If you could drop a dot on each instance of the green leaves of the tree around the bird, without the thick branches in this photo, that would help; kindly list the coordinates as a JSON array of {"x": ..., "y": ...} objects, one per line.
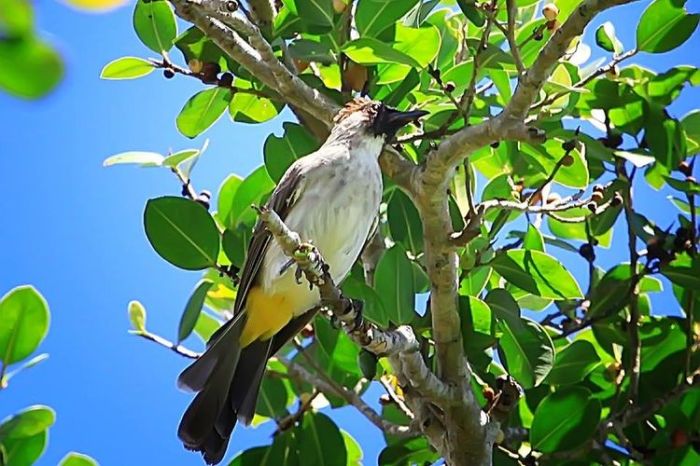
[{"x": 582, "y": 345}]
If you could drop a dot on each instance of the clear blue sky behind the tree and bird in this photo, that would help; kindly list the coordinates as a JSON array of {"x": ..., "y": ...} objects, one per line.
[{"x": 73, "y": 229}]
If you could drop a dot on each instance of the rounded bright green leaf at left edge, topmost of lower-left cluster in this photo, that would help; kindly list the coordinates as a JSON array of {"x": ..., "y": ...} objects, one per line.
[{"x": 24, "y": 323}]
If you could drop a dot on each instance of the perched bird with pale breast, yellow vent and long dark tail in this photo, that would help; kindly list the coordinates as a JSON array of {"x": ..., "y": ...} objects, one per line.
[{"x": 331, "y": 198}]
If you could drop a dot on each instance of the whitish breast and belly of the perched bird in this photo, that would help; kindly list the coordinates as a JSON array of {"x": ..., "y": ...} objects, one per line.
[{"x": 335, "y": 211}]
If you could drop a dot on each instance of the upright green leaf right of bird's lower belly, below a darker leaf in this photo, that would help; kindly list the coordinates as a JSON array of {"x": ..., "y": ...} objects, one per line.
[{"x": 394, "y": 277}]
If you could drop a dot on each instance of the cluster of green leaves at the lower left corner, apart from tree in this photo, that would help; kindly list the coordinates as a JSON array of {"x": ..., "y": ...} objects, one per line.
[{"x": 24, "y": 323}]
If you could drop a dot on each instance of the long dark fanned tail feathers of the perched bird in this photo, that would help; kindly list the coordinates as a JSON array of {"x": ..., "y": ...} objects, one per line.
[{"x": 227, "y": 380}]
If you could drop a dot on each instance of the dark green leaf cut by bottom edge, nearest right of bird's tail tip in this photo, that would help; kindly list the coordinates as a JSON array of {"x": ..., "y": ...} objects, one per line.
[{"x": 321, "y": 441}]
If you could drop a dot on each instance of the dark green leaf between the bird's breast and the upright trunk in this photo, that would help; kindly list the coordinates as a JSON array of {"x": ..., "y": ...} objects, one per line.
[{"x": 404, "y": 222}]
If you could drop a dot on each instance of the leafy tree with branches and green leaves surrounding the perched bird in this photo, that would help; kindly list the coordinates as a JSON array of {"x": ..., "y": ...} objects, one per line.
[{"x": 520, "y": 336}]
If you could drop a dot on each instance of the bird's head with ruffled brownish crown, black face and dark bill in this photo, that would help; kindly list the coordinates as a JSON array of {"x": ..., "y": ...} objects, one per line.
[{"x": 370, "y": 118}]
